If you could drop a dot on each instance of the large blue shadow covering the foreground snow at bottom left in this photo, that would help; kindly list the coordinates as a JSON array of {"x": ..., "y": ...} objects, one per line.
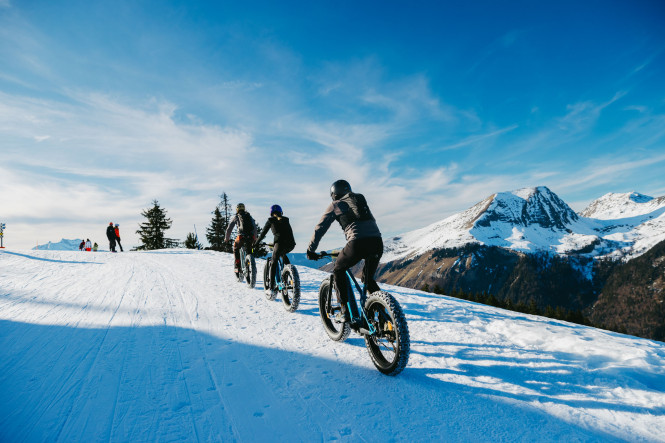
[{"x": 159, "y": 383}]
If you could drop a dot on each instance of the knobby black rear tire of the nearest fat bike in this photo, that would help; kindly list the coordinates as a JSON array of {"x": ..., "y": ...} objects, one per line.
[{"x": 403, "y": 342}]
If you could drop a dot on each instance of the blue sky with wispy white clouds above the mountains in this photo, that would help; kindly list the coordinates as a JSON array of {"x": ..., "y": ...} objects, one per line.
[{"x": 424, "y": 107}]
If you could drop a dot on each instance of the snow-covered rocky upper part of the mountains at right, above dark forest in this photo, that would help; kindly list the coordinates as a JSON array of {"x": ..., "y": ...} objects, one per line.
[{"x": 536, "y": 219}]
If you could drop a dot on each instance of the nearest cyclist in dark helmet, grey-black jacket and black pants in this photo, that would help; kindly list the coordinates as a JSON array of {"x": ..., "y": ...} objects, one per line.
[{"x": 363, "y": 240}]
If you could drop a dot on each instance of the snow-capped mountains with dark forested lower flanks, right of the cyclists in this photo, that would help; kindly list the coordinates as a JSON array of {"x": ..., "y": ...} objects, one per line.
[{"x": 529, "y": 246}]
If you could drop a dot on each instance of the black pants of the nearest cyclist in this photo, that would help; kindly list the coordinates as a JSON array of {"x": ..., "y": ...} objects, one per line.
[{"x": 370, "y": 249}]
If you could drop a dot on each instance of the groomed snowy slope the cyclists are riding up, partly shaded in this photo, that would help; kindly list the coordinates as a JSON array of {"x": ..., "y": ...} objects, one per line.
[{"x": 166, "y": 346}]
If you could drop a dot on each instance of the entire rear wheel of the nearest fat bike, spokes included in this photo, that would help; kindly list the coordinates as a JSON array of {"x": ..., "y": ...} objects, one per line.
[{"x": 389, "y": 346}]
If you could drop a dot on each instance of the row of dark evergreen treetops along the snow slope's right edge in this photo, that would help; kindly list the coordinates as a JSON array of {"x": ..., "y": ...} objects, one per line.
[{"x": 558, "y": 312}]
